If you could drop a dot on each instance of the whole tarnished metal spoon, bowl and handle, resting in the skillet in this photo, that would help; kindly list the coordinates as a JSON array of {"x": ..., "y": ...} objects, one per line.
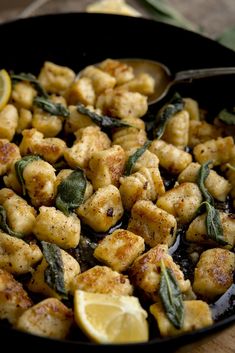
[{"x": 164, "y": 79}]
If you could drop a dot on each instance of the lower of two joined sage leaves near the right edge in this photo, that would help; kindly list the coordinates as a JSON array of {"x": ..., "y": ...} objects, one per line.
[{"x": 213, "y": 224}]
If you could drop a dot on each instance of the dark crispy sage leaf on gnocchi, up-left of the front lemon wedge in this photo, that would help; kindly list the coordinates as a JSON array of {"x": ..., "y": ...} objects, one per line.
[{"x": 54, "y": 273}]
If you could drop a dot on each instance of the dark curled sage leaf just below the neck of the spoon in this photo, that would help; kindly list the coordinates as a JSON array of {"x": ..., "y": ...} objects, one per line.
[{"x": 174, "y": 106}]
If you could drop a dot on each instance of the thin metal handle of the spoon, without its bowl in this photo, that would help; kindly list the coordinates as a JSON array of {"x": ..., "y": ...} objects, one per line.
[{"x": 189, "y": 75}]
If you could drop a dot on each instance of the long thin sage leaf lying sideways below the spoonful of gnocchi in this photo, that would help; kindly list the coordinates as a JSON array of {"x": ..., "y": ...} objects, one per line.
[{"x": 101, "y": 120}]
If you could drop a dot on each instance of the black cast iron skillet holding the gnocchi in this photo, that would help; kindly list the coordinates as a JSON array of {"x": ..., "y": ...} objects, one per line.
[{"x": 79, "y": 39}]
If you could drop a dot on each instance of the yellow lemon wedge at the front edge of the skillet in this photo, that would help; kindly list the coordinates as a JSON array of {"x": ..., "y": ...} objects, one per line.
[{"x": 107, "y": 318}]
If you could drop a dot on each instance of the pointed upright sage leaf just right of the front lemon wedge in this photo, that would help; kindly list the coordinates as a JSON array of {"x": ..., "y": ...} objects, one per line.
[{"x": 171, "y": 297}]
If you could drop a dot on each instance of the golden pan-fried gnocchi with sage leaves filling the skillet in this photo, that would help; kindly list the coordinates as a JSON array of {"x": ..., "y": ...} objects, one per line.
[{"x": 97, "y": 197}]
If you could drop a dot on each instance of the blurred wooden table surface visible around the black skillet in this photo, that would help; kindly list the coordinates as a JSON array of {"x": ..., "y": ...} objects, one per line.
[{"x": 214, "y": 16}]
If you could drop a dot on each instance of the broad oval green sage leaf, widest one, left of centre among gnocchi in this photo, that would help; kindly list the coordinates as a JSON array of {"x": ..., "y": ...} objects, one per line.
[{"x": 71, "y": 192}]
